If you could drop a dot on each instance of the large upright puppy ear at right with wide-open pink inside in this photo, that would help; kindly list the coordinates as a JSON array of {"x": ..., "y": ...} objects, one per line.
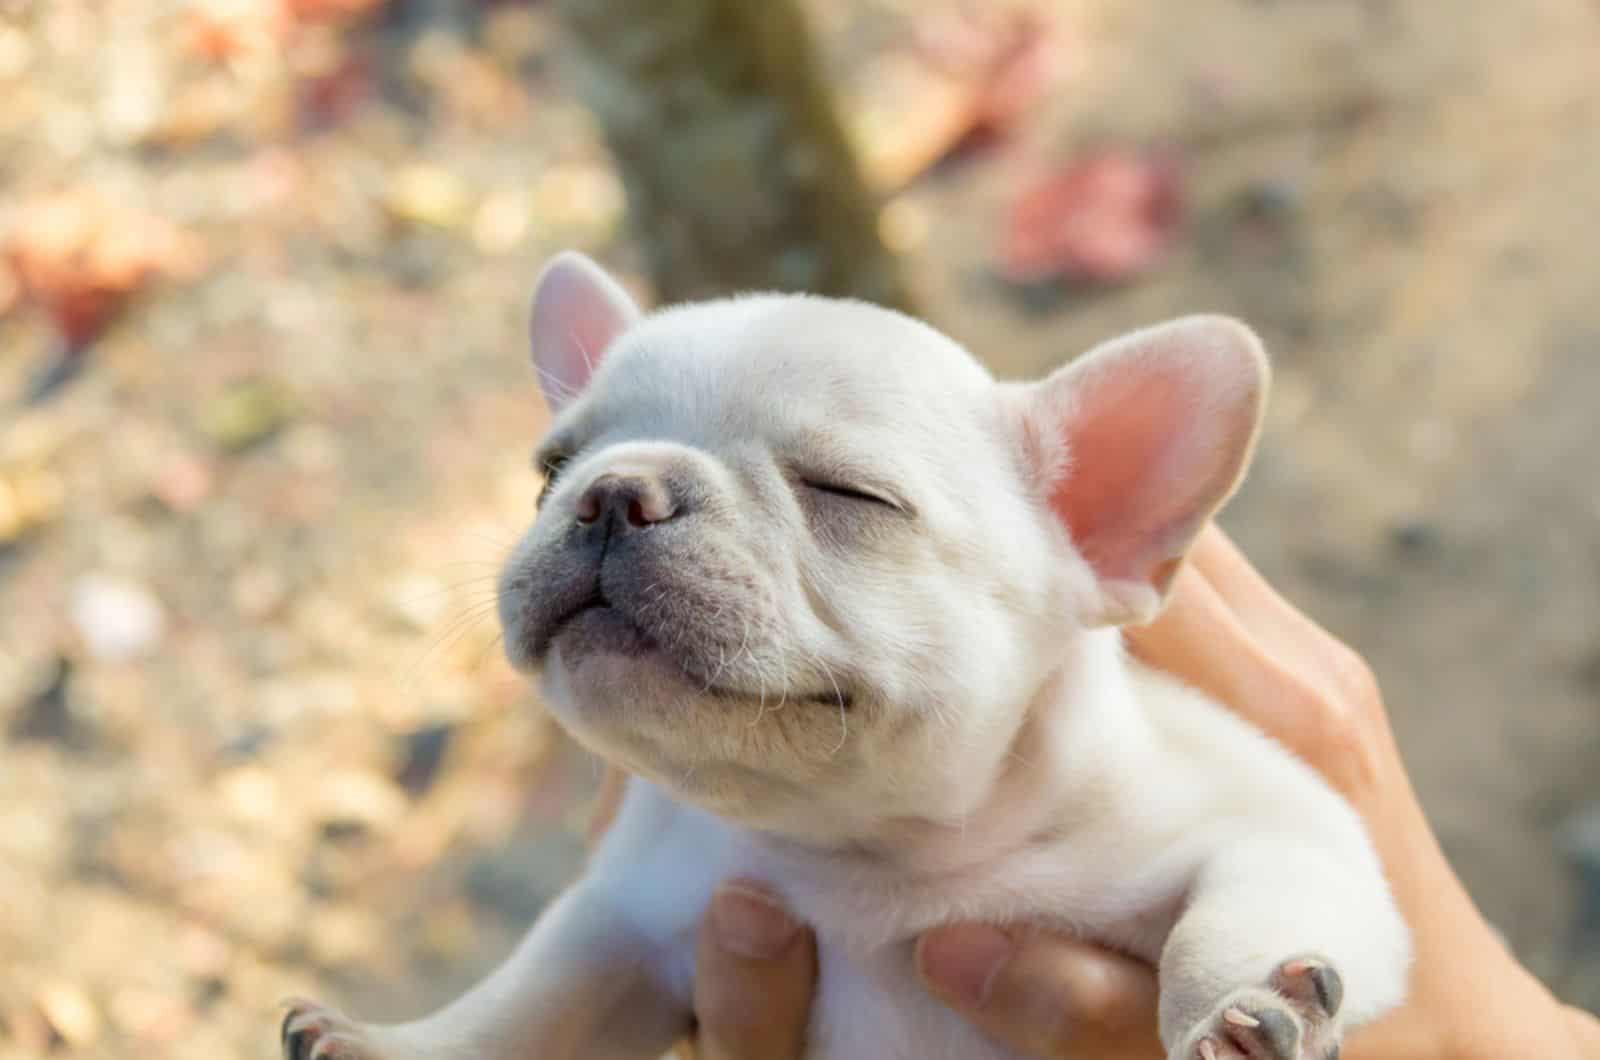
[{"x": 1142, "y": 441}]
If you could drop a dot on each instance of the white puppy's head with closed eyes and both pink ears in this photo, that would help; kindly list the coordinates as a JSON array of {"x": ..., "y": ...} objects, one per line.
[{"x": 804, "y": 563}]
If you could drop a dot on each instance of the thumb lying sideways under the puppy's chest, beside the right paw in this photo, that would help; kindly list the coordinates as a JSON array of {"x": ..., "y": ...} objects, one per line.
[{"x": 1044, "y": 995}]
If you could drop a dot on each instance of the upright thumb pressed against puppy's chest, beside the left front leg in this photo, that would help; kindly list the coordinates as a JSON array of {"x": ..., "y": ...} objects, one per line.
[{"x": 754, "y": 971}]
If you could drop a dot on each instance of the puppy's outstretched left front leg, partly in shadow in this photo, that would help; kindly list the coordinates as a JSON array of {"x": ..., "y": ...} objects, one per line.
[{"x": 582, "y": 986}]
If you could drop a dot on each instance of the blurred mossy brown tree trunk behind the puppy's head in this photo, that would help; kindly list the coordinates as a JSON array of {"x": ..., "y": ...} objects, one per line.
[{"x": 738, "y": 172}]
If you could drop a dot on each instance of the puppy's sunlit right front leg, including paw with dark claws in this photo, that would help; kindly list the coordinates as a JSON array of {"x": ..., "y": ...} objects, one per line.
[{"x": 1281, "y": 947}]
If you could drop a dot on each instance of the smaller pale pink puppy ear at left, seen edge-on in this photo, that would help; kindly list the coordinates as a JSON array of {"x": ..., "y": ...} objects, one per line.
[{"x": 577, "y": 311}]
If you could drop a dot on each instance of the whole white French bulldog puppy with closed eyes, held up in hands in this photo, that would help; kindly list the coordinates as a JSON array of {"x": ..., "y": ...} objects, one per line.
[{"x": 847, "y": 611}]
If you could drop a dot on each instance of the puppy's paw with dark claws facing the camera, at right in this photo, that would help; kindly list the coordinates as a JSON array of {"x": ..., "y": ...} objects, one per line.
[{"x": 1292, "y": 1018}]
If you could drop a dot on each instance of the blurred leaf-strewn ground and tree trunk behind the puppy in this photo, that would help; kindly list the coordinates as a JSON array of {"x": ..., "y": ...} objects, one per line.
[{"x": 266, "y": 417}]
